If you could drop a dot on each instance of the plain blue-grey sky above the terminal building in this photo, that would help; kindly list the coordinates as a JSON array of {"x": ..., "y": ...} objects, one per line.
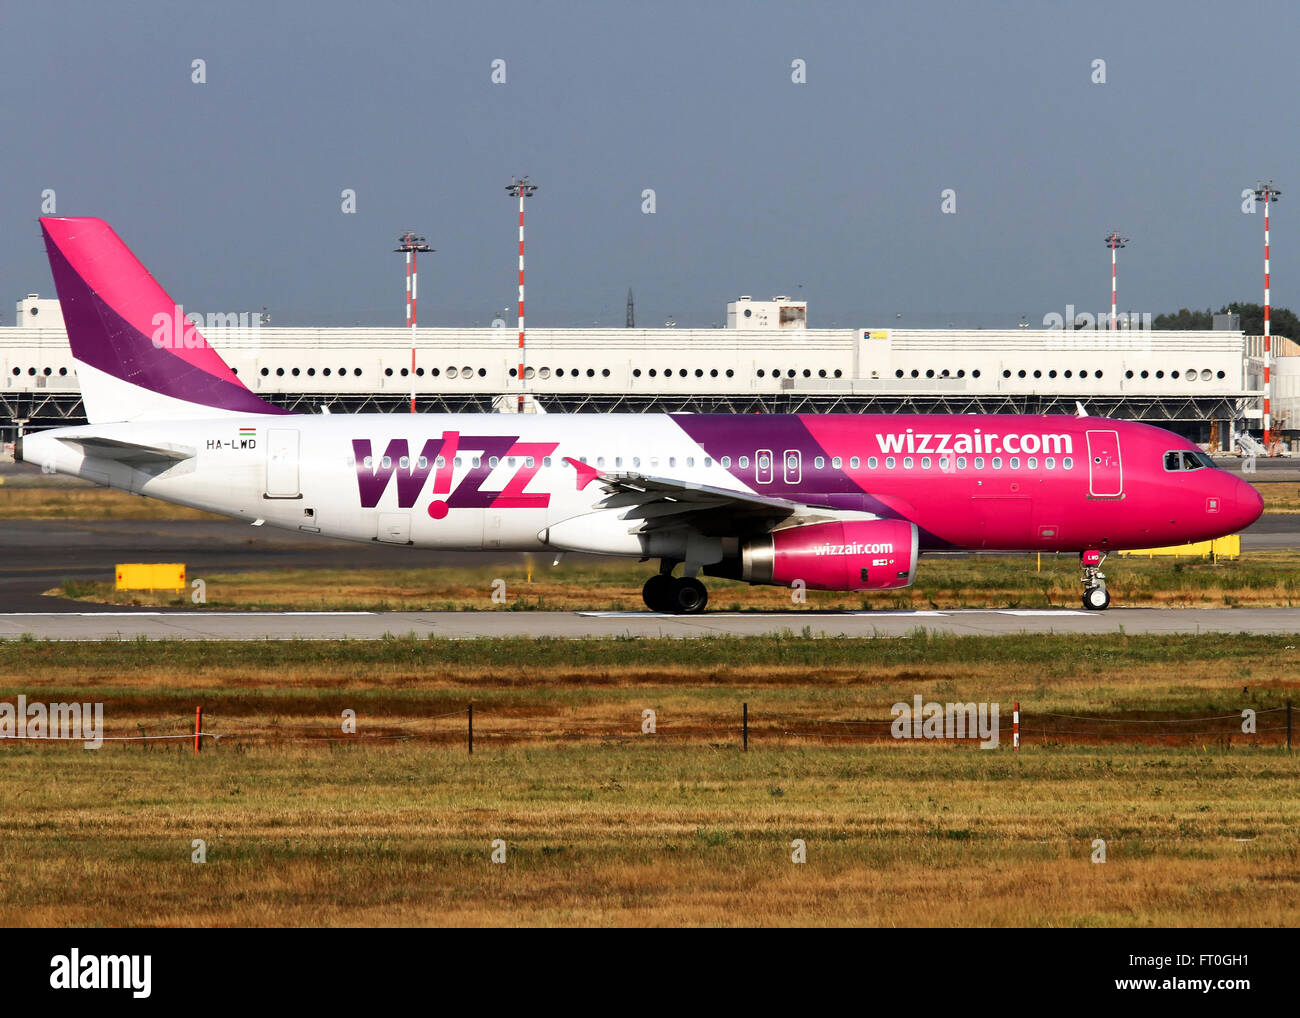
[{"x": 231, "y": 190}]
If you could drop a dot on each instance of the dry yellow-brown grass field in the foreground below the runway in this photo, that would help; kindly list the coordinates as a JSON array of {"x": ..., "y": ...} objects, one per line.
[{"x": 605, "y": 826}]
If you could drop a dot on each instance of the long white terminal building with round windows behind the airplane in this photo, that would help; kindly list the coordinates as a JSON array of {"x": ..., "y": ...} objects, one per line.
[{"x": 1206, "y": 385}]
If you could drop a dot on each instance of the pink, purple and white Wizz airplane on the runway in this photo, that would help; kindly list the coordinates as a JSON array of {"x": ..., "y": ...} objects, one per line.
[{"x": 834, "y": 502}]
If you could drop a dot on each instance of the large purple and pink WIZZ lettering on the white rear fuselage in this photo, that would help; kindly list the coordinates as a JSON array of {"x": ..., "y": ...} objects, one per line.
[{"x": 486, "y": 453}]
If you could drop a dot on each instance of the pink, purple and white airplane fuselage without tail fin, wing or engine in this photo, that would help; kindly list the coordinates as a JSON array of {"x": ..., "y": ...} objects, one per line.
[{"x": 502, "y": 482}]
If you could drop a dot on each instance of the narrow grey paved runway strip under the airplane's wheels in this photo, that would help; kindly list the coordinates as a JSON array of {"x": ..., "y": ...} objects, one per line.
[{"x": 105, "y": 626}]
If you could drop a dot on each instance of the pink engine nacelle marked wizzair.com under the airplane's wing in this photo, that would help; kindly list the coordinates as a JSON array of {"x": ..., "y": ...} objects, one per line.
[{"x": 850, "y": 556}]
